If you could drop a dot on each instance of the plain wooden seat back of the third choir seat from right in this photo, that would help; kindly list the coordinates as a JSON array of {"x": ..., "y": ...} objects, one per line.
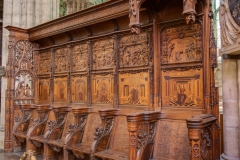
[{"x": 93, "y": 121}]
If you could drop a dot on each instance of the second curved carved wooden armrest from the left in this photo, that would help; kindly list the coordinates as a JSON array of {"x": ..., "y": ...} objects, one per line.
[{"x": 37, "y": 127}]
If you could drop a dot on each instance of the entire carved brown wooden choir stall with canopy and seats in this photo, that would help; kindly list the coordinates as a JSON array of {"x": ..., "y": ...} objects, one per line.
[{"x": 91, "y": 85}]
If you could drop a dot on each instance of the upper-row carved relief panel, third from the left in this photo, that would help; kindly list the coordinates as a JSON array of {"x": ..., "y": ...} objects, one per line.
[{"x": 80, "y": 57}]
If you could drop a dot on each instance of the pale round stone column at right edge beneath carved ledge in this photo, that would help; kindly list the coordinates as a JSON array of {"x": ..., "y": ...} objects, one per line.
[{"x": 230, "y": 108}]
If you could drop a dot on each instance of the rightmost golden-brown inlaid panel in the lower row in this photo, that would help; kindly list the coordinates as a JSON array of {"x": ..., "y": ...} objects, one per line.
[{"x": 182, "y": 88}]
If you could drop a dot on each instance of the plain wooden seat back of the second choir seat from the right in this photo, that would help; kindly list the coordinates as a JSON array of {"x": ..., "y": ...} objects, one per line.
[{"x": 120, "y": 141}]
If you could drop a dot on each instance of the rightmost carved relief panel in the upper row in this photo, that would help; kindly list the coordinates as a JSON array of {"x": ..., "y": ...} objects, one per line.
[{"x": 181, "y": 43}]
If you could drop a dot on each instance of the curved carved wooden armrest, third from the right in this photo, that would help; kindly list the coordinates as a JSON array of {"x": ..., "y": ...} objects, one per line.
[{"x": 107, "y": 117}]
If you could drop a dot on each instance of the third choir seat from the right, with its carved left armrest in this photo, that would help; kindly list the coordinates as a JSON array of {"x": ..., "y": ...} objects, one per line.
[{"x": 81, "y": 135}]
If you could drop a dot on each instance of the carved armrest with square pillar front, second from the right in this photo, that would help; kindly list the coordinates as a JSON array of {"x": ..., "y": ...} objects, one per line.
[{"x": 142, "y": 129}]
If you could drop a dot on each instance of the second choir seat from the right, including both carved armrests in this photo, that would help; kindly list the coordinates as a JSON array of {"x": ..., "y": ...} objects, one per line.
[{"x": 126, "y": 136}]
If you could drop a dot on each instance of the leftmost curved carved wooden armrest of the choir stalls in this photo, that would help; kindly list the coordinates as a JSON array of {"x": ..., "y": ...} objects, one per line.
[{"x": 21, "y": 123}]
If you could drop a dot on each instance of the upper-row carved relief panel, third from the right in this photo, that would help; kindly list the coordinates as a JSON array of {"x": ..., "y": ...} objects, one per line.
[{"x": 103, "y": 54}]
